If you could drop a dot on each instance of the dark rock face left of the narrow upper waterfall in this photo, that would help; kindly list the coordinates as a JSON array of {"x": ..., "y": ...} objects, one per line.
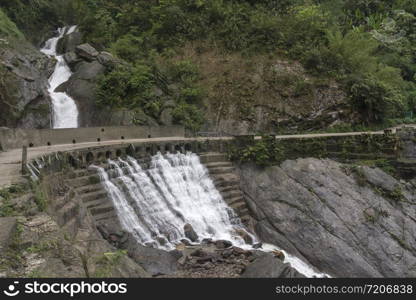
[{"x": 24, "y": 73}]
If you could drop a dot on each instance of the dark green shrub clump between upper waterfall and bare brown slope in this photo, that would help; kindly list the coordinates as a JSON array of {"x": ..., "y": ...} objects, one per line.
[{"x": 135, "y": 87}]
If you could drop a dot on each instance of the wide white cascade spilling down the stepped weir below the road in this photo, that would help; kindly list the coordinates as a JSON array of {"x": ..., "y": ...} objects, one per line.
[{"x": 155, "y": 204}]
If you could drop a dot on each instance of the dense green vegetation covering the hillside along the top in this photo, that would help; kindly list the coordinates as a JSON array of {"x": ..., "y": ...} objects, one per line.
[{"x": 368, "y": 46}]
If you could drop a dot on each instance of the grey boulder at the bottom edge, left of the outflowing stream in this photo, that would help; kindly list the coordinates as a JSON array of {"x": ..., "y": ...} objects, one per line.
[{"x": 268, "y": 266}]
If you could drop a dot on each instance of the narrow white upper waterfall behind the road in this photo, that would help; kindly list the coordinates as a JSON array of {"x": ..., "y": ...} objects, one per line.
[{"x": 65, "y": 111}]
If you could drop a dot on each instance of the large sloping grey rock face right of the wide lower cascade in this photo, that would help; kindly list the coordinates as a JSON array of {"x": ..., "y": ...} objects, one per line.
[{"x": 346, "y": 221}]
